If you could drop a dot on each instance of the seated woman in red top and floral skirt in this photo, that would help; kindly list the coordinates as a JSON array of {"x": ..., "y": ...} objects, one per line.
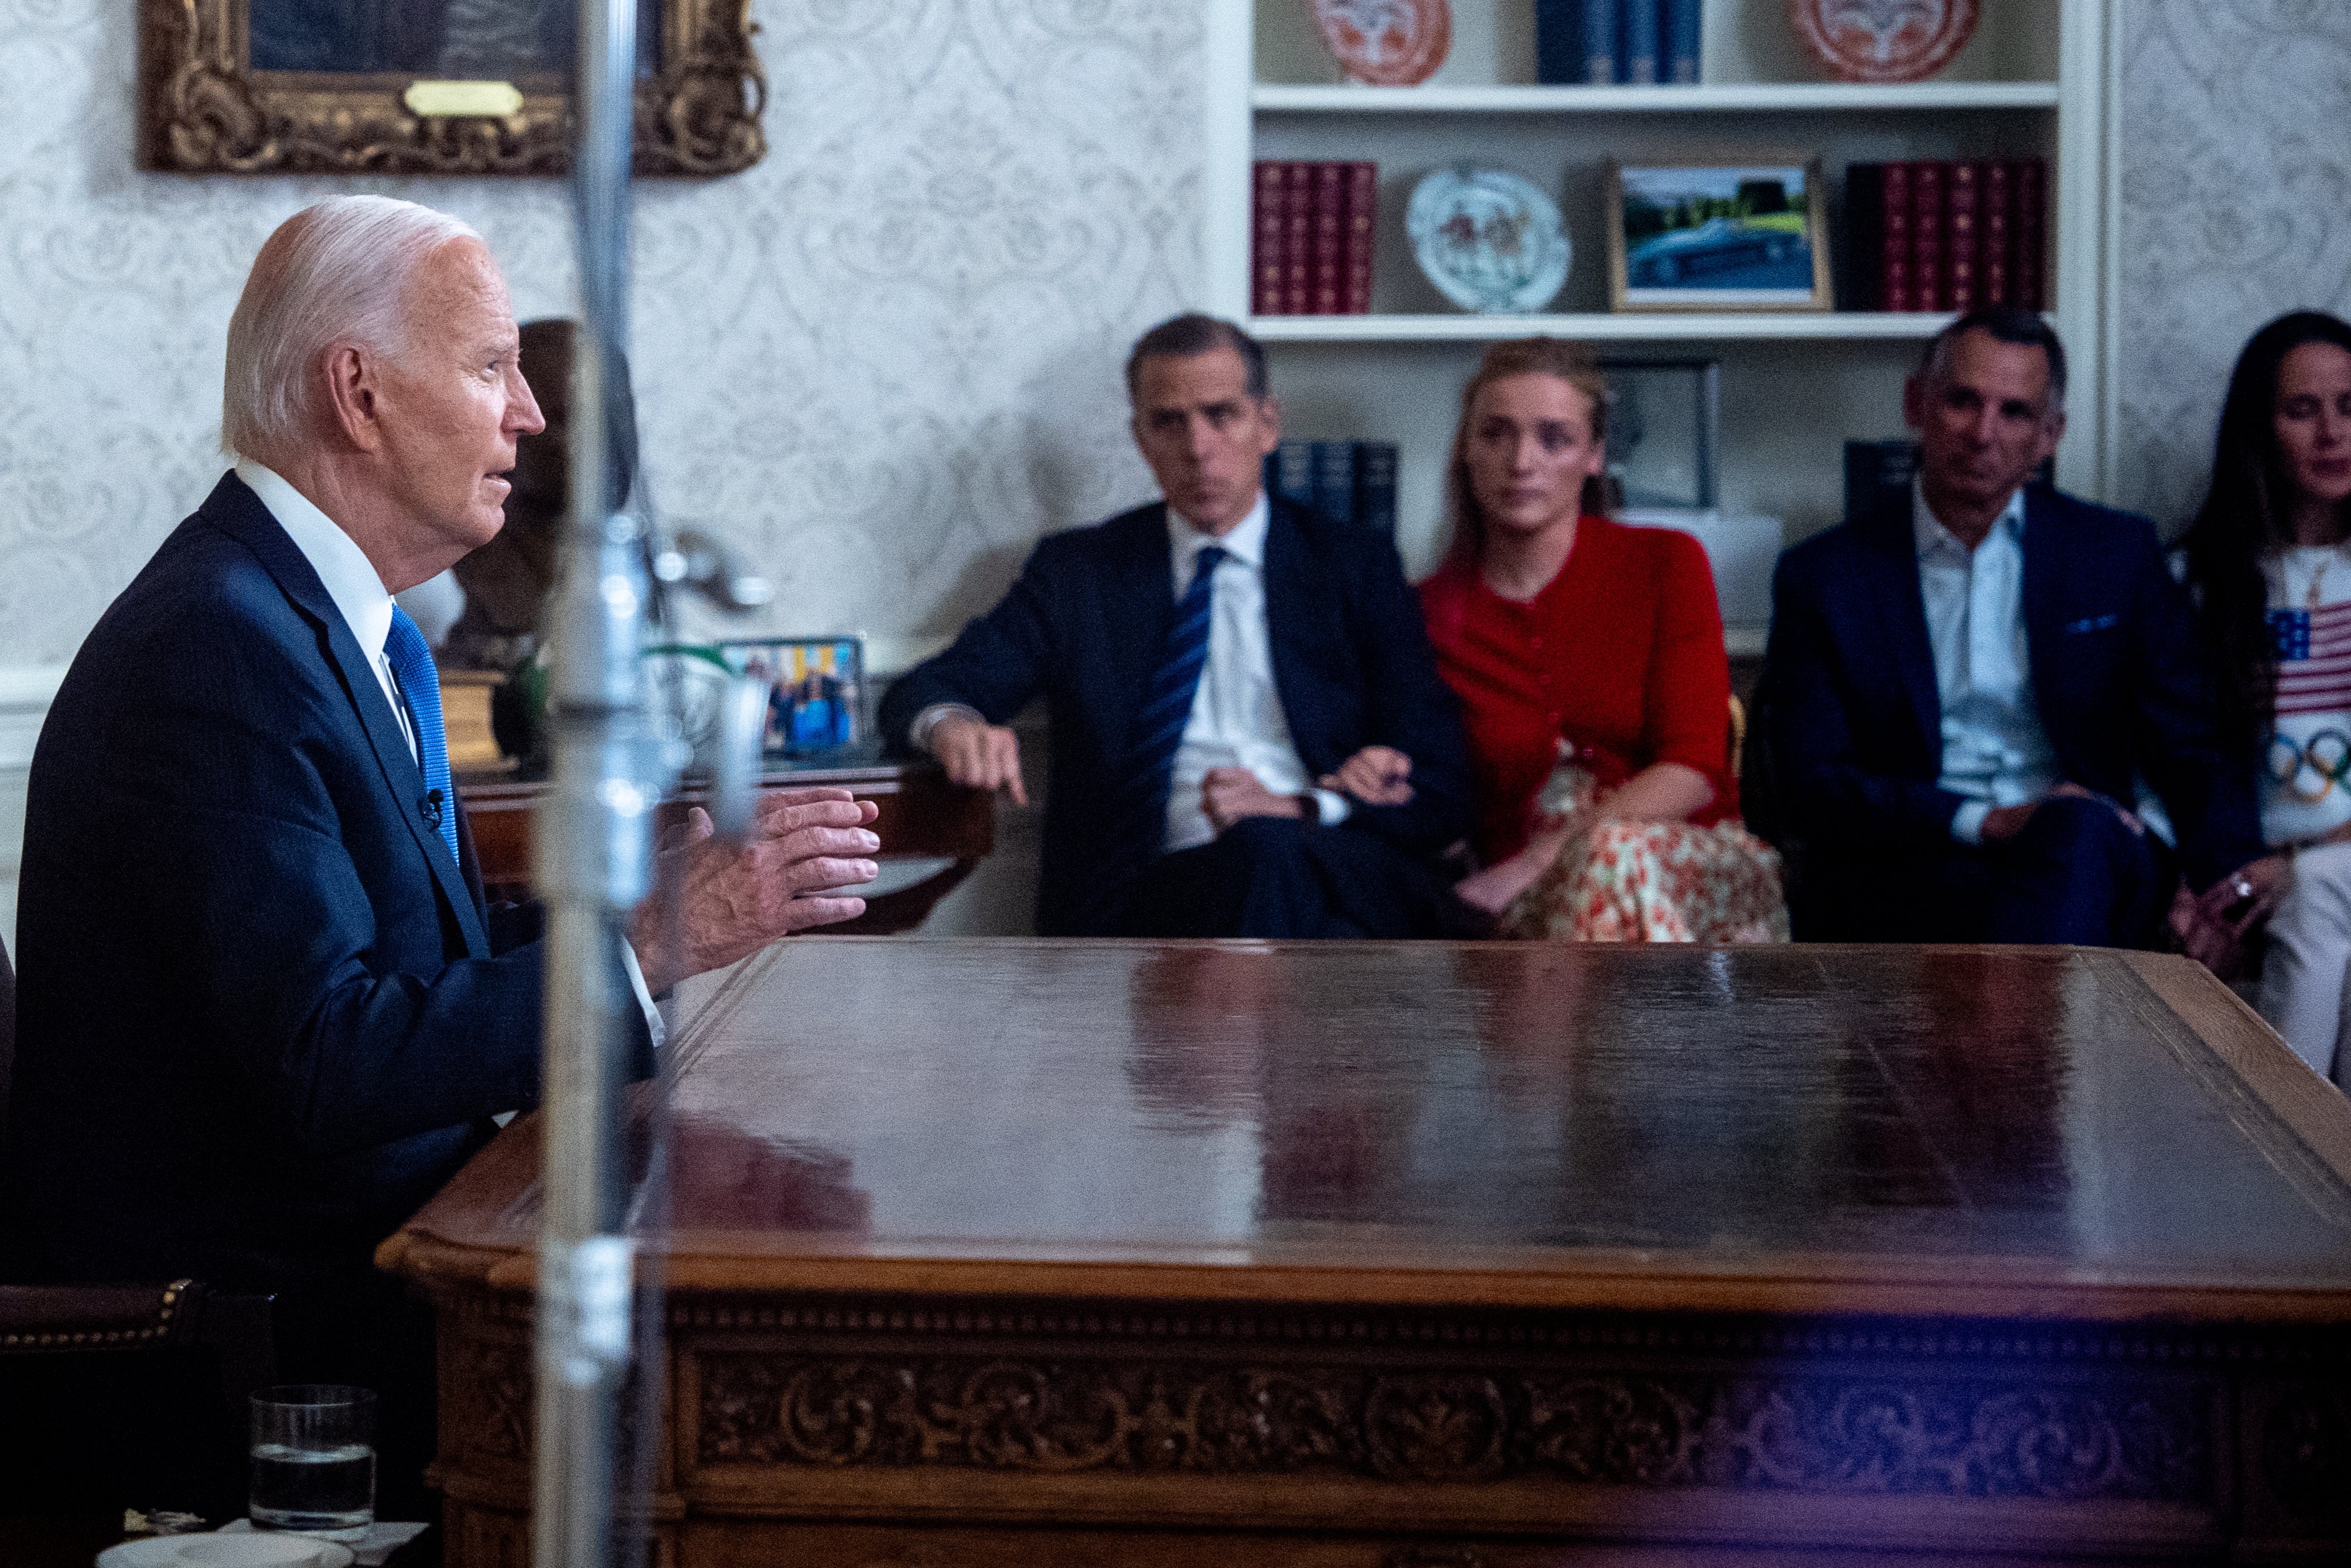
[{"x": 1590, "y": 664}]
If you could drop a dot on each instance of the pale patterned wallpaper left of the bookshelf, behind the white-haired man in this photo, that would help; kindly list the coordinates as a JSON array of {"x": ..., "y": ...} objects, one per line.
[{"x": 883, "y": 361}]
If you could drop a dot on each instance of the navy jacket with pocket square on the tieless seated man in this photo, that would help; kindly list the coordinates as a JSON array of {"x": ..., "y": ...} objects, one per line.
[{"x": 1856, "y": 721}]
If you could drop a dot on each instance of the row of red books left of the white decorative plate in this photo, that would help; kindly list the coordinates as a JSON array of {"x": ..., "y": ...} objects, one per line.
[{"x": 1311, "y": 239}]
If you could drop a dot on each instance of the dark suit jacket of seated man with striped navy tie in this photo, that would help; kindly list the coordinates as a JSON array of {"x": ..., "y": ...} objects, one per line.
[{"x": 1087, "y": 624}]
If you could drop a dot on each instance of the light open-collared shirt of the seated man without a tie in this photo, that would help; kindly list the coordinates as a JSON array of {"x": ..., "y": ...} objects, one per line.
[{"x": 1995, "y": 749}]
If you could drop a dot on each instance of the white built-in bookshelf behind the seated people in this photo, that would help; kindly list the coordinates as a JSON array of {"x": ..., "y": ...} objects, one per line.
[{"x": 2032, "y": 83}]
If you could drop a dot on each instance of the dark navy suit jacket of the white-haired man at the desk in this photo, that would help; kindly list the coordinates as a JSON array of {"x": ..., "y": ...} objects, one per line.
[{"x": 262, "y": 1012}]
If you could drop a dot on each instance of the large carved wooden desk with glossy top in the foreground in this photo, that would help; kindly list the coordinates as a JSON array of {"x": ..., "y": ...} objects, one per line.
[{"x": 1381, "y": 1257}]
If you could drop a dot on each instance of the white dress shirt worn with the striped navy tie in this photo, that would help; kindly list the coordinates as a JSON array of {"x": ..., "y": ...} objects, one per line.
[{"x": 1238, "y": 718}]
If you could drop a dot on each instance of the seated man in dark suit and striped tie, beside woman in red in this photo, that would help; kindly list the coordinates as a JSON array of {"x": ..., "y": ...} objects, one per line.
[{"x": 1210, "y": 664}]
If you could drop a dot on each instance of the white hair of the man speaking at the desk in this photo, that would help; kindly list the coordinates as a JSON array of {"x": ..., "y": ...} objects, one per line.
[{"x": 337, "y": 272}]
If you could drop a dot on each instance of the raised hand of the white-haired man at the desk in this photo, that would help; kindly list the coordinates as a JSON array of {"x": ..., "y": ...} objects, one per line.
[{"x": 791, "y": 873}]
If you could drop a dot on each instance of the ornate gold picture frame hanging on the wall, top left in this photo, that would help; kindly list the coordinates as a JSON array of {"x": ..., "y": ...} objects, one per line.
[{"x": 206, "y": 109}]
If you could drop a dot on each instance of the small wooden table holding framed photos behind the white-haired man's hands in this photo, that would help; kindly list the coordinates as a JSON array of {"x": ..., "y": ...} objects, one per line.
[{"x": 923, "y": 819}]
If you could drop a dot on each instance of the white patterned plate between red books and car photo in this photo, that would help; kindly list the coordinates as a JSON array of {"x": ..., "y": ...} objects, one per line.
[{"x": 1489, "y": 241}]
